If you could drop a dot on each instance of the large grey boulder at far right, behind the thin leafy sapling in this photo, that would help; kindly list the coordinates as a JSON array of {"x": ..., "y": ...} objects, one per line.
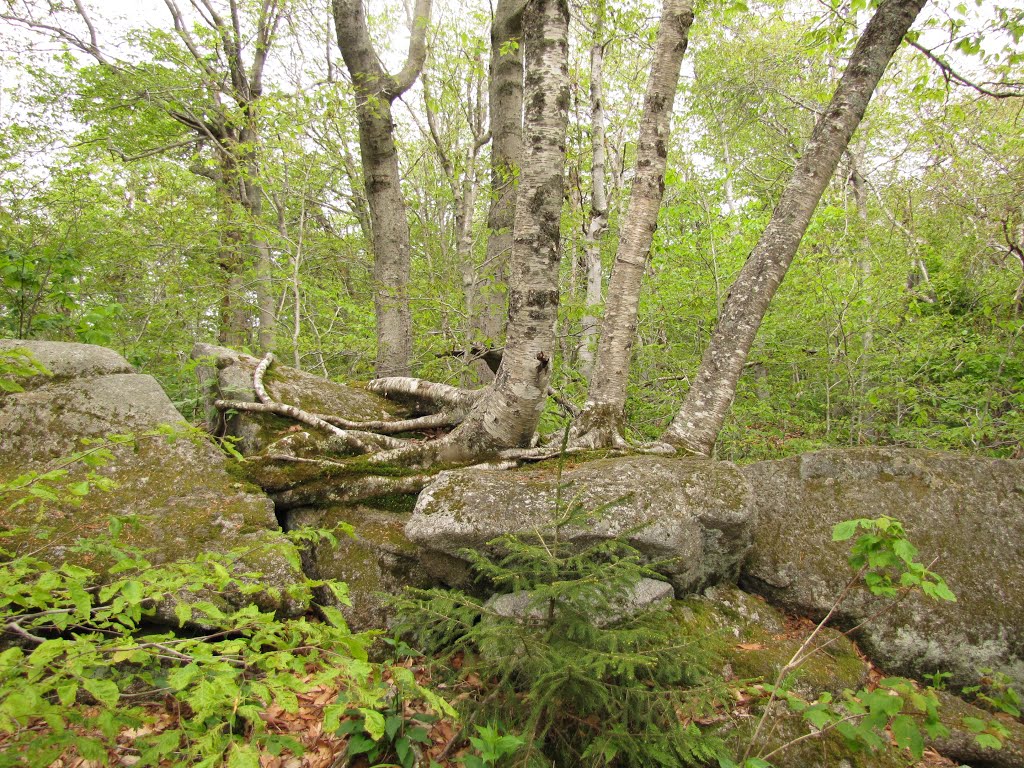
[{"x": 969, "y": 513}]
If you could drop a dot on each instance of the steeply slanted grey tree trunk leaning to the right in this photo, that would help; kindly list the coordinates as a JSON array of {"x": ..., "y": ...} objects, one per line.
[{"x": 697, "y": 425}]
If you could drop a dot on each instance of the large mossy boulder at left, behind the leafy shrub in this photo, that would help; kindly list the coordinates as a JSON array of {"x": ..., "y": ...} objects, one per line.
[{"x": 182, "y": 493}]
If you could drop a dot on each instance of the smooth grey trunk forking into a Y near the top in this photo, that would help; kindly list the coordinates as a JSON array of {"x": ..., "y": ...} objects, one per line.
[{"x": 375, "y": 92}]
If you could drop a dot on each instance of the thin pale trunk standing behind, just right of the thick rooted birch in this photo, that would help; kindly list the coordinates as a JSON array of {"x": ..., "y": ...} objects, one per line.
[{"x": 599, "y": 220}]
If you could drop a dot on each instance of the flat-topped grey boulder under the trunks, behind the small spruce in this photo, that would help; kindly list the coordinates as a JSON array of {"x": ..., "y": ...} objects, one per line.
[{"x": 692, "y": 518}]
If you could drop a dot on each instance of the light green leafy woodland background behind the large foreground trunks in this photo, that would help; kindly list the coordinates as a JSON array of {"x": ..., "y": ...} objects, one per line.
[{"x": 901, "y": 321}]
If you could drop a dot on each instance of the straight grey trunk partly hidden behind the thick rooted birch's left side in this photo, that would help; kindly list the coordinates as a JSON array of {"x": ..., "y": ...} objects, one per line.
[{"x": 505, "y": 104}]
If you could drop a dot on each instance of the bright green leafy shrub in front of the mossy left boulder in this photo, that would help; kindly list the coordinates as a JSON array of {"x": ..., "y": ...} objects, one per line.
[{"x": 80, "y": 652}]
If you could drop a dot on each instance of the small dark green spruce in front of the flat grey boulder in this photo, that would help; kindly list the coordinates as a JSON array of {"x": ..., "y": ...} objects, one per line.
[{"x": 577, "y": 688}]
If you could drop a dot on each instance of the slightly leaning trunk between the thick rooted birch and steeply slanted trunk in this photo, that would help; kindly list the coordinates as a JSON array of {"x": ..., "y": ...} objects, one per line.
[{"x": 602, "y": 421}]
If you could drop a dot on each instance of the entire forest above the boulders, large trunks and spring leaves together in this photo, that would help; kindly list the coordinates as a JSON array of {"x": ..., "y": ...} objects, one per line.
[{"x": 396, "y": 191}]
